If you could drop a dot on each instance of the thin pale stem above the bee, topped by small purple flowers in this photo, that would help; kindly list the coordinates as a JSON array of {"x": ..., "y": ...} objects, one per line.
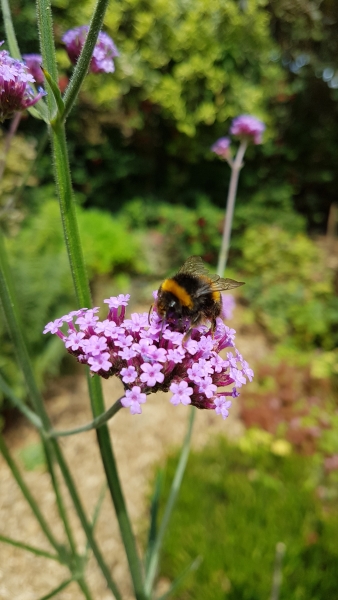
[{"x": 235, "y": 169}]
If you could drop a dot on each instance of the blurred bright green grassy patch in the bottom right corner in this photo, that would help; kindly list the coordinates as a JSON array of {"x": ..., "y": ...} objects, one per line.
[{"x": 234, "y": 506}]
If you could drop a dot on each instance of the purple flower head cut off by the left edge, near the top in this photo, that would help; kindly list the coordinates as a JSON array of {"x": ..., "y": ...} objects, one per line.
[{"x": 16, "y": 93}]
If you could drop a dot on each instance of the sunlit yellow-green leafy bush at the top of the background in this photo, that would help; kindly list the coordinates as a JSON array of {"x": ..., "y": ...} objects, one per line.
[{"x": 185, "y": 60}]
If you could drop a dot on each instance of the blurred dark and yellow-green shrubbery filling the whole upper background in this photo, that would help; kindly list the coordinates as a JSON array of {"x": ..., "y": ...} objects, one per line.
[{"x": 183, "y": 73}]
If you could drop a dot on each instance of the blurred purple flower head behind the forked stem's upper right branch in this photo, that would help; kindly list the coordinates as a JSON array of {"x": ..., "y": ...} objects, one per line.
[{"x": 104, "y": 51}]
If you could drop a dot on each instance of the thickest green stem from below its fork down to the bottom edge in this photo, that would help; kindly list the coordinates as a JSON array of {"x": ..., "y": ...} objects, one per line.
[{"x": 81, "y": 285}]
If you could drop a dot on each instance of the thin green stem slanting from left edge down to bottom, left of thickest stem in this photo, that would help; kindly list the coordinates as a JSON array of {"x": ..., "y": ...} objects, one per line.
[{"x": 7, "y": 297}]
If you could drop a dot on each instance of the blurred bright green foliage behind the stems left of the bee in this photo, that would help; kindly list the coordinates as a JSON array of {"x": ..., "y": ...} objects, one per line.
[{"x": 40, "y": 269}]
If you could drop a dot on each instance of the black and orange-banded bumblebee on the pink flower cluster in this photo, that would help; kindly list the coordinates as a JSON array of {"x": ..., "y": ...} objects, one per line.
[{"x": 192, "y": 296}]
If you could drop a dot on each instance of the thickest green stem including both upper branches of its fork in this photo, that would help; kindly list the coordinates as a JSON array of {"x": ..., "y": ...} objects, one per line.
[{"x": 81, "y": 284}]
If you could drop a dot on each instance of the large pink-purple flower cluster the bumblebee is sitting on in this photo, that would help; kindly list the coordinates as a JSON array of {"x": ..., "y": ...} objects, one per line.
[{"x": 150, "y": 356}]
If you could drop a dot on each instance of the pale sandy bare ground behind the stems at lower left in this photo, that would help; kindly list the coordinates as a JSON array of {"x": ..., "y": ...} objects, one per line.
[{"x": 140, "y": 442}]
